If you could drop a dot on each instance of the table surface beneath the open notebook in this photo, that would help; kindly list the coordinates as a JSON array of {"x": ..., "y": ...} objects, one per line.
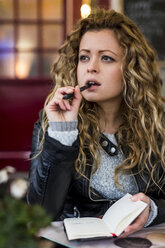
[{"x": 56, "y": 233}]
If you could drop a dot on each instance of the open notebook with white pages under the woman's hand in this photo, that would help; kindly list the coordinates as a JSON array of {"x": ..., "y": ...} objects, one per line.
[{"x": 115, "y": 220}]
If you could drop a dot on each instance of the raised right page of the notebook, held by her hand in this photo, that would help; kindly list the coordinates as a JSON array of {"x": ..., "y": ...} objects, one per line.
[{"x": 122, "y": 213}]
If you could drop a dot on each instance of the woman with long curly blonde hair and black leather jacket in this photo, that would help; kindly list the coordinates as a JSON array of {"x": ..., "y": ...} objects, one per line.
[{"x": 109, "y": 139}]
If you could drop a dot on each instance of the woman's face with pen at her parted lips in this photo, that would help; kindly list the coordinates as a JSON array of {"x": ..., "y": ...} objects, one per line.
[{"x": 100, "y": 61}]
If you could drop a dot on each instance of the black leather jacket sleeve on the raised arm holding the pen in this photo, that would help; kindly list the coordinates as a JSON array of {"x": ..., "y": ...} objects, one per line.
[{"x": 50, "y": 172}]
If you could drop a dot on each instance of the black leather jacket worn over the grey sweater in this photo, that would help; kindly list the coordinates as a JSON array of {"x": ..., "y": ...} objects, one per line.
[{"x": 55, "y": 185}]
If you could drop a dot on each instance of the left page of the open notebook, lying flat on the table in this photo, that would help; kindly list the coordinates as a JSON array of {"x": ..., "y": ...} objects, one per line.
[{"x": 86, "y": 227}]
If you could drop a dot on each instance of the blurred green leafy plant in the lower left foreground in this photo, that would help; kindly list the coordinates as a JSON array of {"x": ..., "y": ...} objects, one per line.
[{"x": 19, "y": 222}]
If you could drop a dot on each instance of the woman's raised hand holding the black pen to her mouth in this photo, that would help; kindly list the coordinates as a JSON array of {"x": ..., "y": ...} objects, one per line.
[{"x": 59, "y": 109}]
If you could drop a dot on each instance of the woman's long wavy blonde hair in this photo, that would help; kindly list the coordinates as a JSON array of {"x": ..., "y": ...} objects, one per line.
[{"x": 142, "y": 130}]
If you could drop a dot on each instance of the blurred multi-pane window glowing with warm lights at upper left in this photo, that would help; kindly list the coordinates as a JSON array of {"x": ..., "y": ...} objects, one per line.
[{"x": 31, "y": 31}]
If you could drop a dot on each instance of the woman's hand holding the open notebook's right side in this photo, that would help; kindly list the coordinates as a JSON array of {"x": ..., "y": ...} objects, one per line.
[{"x": 141, "y": 220}]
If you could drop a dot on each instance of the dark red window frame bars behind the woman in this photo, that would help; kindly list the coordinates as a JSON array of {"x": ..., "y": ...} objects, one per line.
[{"x": 39, "y": 50}]
